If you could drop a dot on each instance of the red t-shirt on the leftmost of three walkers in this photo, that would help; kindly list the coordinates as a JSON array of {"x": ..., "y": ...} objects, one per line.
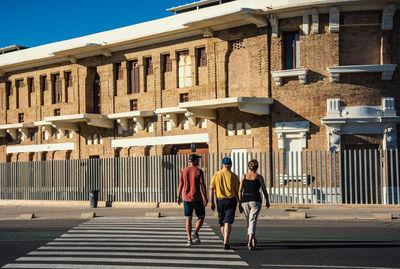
[{"x": 191, "y": 178}]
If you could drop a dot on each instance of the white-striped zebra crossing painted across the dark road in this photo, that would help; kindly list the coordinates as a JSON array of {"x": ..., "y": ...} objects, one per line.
[{"x": 108, "y": 243}]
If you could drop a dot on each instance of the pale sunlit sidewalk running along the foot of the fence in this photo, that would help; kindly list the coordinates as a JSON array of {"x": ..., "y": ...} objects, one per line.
[{"x": 45, "y": 210}]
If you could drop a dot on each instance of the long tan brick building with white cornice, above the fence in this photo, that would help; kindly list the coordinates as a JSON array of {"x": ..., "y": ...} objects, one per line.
[{"x": 230, "y": 76}]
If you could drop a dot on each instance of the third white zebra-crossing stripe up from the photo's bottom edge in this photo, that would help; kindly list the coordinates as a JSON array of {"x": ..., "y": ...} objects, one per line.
[{"x": 142, "y": 254}]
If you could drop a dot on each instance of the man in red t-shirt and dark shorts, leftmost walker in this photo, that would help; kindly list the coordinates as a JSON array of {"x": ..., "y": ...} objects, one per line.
[{"x": 191, "y": 182}]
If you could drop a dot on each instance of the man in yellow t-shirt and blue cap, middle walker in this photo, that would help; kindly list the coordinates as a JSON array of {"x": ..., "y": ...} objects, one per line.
[{"x": 225, "y": 184}]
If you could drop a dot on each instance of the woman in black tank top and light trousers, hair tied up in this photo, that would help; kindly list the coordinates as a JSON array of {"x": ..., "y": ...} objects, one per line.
[{"x": 250, "y": 199}]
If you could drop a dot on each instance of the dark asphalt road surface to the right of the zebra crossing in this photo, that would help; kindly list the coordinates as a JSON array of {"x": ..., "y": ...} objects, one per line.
[{"x": 319, "y": 244}]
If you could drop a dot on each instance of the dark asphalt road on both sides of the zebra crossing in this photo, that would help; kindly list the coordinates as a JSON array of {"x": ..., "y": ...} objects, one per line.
[{"x": 281, "y": 244}]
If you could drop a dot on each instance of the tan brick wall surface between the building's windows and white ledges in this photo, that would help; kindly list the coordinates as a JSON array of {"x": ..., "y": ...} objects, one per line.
[{"x": 237, "y": 65}]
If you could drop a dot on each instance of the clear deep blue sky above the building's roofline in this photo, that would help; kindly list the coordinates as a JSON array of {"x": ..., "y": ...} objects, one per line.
[{"x": 36, "y": 22}]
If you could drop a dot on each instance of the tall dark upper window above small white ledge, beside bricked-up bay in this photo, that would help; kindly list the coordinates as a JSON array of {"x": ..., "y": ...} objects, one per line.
[{"x": 291, "y": 50}]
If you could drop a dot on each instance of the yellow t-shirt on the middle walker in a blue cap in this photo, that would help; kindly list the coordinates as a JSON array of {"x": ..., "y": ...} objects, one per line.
[{"x": 225, "y": 183}]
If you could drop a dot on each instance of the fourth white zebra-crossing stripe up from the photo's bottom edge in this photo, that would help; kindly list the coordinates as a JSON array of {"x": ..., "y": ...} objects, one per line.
[{"x": 184, "y": 248}]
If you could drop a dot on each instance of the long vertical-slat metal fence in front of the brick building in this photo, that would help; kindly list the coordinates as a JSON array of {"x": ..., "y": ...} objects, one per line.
[{"x": 309, "y": 177}]
